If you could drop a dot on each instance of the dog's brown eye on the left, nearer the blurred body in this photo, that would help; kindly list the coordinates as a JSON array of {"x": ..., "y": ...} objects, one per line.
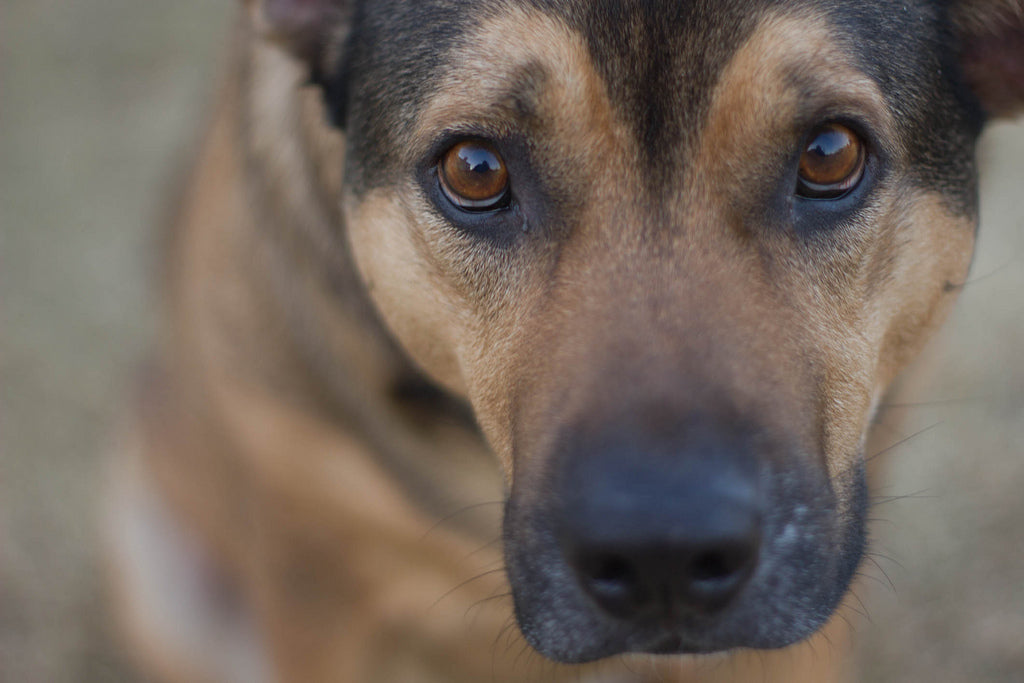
[{"x": 474, "y": 177}]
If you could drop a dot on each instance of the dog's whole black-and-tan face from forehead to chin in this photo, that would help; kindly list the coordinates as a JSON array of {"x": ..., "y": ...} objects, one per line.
[{"x": 672, "y": 253}]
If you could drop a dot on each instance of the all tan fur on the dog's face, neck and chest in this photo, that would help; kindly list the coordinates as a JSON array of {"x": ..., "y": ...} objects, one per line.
[{"x": 290, "y": 495}]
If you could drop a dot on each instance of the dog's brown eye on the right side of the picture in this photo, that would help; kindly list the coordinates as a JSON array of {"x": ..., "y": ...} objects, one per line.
[{"x": 832, "y": 164}]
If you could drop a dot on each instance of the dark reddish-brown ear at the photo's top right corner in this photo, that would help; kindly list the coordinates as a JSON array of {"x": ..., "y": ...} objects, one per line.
[{"x": 992, "y": 39}]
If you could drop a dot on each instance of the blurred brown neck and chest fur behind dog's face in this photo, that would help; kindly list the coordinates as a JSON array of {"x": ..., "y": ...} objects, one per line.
[{"x": 318, "y": 590}]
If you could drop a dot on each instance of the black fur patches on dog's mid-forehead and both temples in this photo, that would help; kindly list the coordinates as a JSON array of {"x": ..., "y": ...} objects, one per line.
[{"x": 660, "y": 60}]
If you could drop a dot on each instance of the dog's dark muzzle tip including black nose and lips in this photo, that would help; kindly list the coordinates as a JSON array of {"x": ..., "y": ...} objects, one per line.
[{"x": 724, "y": 556}]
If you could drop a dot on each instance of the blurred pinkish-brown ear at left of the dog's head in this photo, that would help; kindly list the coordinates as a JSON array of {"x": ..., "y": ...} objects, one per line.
[{"x": 307, "y": 28}]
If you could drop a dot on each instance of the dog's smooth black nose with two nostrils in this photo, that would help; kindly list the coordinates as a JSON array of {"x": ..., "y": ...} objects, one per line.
[{"x": 661, "y": 536}]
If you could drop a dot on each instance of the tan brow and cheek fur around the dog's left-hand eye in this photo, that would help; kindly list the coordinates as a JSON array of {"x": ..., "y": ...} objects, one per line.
[{"x": 455, "y": 310}]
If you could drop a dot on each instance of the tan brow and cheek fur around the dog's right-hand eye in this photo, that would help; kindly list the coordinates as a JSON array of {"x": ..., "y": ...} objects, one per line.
[{"x": 756, "y": 100}]
